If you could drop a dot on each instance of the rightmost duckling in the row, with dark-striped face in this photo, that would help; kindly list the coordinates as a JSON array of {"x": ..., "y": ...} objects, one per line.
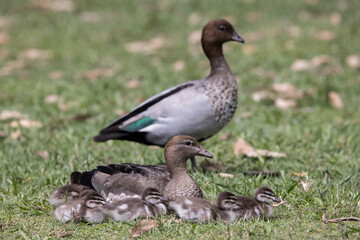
[{"x": 260, "y": 205}]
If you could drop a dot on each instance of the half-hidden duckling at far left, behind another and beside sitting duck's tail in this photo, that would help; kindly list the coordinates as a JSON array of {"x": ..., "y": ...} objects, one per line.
[{"x": 67, "y": 192}]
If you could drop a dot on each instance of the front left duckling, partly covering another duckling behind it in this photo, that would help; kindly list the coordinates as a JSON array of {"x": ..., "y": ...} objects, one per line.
[{"x": 88, "y": 207}]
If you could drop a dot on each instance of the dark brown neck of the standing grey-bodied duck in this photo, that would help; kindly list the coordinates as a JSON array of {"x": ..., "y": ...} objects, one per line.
[{"x": 215, "y": 54}]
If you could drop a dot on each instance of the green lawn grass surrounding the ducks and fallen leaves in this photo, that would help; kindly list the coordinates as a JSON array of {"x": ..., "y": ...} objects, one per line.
[{"x": 315, "y": 136}]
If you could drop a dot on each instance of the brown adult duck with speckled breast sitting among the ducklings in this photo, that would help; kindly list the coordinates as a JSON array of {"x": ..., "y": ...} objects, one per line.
[{"x": 171, "y": 180}]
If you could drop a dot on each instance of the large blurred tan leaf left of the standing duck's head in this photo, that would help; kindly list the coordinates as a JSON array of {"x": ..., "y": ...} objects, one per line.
[{"x": 147, "y": 47}]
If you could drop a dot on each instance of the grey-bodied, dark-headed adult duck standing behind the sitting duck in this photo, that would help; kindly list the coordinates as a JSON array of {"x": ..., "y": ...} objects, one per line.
[{"x": 198, "y": 108}]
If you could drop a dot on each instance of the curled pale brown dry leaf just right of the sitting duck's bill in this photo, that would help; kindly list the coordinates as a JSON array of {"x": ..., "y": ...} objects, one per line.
[{"x": 242, "y": 147}]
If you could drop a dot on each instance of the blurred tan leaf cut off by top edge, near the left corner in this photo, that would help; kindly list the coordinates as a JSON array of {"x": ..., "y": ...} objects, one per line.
[{"x": 55, "y": 5}]
